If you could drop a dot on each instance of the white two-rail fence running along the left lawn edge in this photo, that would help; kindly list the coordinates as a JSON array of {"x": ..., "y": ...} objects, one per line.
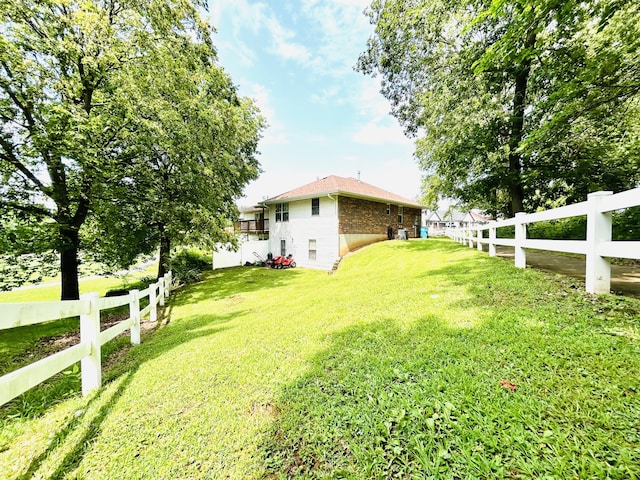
[{"x": 88, "y": 351}]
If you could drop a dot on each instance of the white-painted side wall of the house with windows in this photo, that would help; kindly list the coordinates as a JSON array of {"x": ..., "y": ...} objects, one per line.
[{"x": 302, "y": 227}]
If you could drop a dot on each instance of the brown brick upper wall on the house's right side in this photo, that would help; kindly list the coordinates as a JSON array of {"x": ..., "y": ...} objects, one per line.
[{"x": 360, "y": 216}]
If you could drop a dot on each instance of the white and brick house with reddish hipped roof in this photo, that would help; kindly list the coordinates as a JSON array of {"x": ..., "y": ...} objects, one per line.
[{"x": 321, "y": 222}]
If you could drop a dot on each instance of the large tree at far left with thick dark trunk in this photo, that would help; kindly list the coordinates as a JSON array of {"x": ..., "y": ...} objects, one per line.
[{"x": 70, "y": 133}]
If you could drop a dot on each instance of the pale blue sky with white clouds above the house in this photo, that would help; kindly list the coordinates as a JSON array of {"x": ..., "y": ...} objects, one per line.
[{"x": 296, "y": 58}]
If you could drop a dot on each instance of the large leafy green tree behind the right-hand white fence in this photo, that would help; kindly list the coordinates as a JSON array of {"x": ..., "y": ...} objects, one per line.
[{"x": 495, "y": 87}]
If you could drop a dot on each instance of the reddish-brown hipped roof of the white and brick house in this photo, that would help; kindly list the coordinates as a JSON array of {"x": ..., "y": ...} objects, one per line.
[{"x": 349, "y": 187}]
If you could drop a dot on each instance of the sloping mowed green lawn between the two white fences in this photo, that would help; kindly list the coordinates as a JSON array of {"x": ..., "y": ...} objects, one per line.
[{"x": 419, "y": 359}]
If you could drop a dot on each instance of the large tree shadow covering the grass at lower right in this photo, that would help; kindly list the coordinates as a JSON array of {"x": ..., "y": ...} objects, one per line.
[{"x": 526, "y": 392}]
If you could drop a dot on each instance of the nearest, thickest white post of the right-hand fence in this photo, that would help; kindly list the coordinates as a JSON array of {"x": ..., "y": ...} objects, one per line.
[{"x": 598, "y": 269}]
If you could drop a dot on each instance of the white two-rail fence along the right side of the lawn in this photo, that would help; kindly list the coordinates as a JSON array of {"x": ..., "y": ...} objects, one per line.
[{"x": 598, "y": 247}]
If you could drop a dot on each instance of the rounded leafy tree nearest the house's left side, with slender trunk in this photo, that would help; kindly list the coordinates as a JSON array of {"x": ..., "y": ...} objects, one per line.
[{"x": 196, "y": 142}]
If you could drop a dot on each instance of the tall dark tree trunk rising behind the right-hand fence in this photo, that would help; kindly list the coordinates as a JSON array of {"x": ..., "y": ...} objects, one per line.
[{"x": 517, "y": 129}]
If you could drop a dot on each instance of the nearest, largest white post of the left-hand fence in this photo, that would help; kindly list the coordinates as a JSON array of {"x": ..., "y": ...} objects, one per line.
[{"x": 91, "y": 365}]
